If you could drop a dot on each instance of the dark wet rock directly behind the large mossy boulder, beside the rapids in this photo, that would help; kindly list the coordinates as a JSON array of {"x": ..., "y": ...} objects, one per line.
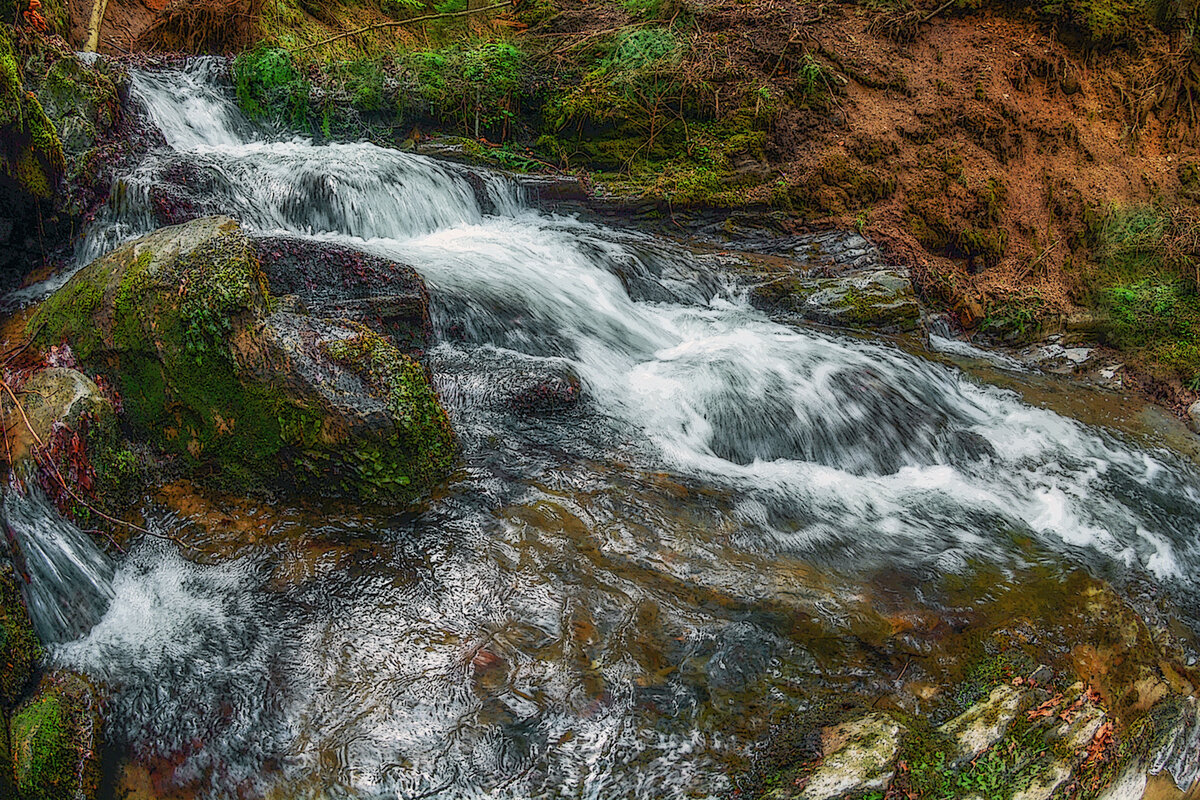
[{"x": 338, "y": 282}]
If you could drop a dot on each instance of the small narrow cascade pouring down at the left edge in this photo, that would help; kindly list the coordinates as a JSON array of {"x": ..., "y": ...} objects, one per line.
[{"x": 67, "y": 581}]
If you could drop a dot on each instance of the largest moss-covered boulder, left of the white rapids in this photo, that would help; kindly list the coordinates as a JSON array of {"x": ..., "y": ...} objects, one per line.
[{"x": 239, "y": 390}]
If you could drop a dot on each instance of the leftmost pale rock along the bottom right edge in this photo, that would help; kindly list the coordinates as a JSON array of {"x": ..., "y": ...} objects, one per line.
[{"x": 856, "y": 757}]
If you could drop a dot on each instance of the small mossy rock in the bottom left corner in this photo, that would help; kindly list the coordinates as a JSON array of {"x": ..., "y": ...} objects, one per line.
[{"x": 57, "y": 739}]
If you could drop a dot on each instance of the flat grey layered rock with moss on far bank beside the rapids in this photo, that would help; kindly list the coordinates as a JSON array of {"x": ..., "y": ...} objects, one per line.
[{"x": 883, "y": 299}]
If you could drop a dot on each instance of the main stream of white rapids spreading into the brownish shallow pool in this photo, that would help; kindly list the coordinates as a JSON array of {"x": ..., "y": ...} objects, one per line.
[{"x": 604, "y": 600}]
